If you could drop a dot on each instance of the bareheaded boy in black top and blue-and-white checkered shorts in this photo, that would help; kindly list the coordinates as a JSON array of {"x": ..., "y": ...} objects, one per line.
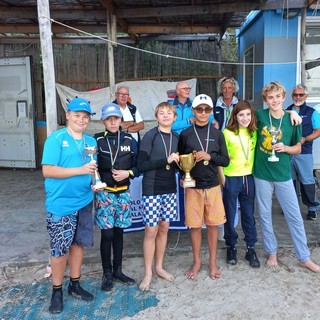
[{"x": 157, "y": 158}]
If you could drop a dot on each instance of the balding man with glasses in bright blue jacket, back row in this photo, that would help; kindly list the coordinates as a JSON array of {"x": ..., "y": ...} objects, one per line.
[{"x": 185, "y": 117}]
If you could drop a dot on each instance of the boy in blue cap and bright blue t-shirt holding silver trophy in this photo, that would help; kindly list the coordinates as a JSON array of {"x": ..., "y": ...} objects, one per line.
[{"x": 68, "y": 173}]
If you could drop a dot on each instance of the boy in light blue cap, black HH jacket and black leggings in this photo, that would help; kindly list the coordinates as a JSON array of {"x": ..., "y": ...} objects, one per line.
[{"x": 117, "y": 161}]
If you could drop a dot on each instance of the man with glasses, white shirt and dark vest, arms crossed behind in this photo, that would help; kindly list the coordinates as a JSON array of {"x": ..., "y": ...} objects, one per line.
[{"x": 132, "y": 121}]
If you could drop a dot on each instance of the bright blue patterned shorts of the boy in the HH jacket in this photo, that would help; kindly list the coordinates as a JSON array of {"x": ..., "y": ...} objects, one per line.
[{"x": 112, "y": 209}]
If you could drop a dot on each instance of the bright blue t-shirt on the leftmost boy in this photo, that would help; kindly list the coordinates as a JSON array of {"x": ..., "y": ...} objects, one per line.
[{"x": 67, "y": 195}]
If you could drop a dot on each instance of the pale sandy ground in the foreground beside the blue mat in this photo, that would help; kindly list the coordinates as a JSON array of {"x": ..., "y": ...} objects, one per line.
[{"x": 287, "y": 292}]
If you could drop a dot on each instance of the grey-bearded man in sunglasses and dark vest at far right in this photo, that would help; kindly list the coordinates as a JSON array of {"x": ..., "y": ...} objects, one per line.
[{"x": 302, "y": 164}]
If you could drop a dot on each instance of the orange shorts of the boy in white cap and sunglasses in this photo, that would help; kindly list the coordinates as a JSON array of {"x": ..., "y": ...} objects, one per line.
[{"x": 204, "y": 206}]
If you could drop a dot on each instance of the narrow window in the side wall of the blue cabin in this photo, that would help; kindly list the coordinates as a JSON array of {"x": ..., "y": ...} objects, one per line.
[{"x": 248, "y": 69}]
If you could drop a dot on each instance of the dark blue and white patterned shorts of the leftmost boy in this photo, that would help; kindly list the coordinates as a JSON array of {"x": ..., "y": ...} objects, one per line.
[{"x": 73, "y": 229}]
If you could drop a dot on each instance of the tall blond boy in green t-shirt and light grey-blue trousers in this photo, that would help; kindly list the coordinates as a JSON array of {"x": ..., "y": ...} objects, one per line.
[{"x": 275, "y": 177}]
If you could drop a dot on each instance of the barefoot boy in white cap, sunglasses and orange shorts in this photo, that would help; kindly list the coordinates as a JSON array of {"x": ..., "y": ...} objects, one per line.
[{"x": 203, "y": 203}]
